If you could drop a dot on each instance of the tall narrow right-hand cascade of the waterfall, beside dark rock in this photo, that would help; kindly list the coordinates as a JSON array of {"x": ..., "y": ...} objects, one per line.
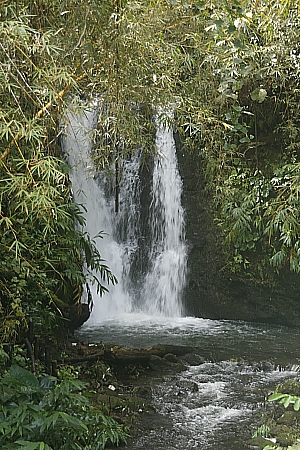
[{"x": 164, "y": 282}]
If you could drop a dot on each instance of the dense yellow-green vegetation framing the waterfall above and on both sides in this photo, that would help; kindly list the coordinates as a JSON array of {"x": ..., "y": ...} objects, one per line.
[{"x": 231, "y": 70}]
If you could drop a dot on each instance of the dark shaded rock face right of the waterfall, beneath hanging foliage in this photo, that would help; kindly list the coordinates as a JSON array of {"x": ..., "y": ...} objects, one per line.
[{"x": 210, "y": 291}]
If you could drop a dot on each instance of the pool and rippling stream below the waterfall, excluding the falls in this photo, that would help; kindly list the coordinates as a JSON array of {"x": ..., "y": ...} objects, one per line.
[{"x": 234, "y": 365}]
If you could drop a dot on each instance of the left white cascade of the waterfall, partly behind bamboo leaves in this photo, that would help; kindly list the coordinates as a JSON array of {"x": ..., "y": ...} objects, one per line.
[{"x": 88, "y": 191}]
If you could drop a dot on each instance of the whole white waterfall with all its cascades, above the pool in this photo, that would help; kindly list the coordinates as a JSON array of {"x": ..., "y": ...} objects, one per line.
[{"x": 149, "y": 260}]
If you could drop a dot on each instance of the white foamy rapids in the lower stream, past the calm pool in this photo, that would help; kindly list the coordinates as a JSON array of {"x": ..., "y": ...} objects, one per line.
[{"x": 220, "y": 413}]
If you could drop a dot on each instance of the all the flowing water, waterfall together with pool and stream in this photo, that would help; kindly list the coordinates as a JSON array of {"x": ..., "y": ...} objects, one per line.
[{"x": 212, "y": 404}]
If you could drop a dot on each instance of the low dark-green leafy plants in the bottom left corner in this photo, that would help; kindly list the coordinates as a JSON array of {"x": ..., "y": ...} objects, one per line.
[{"x": 43, "y": 413}]
